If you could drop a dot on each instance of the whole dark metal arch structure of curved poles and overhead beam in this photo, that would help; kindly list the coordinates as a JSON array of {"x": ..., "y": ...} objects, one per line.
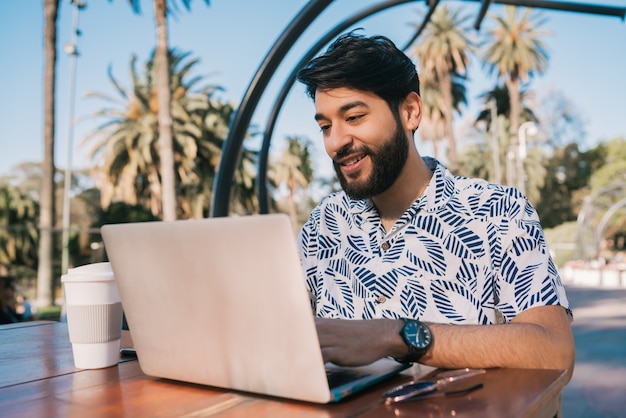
[{"x": 231, "y": 150}]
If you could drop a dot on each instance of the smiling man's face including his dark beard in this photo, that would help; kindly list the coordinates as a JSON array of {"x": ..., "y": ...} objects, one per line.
[{"x": 366, "y": 142}]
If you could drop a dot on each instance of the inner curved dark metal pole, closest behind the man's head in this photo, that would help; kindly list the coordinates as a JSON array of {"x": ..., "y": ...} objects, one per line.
[{"x": 291, "y": 79}]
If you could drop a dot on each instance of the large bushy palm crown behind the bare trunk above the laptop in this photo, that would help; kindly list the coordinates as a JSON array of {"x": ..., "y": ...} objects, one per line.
[{"x": 125, "y": 147}]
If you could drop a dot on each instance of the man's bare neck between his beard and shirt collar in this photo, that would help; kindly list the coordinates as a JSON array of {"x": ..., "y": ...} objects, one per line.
[{"x": 409, "y": 186}]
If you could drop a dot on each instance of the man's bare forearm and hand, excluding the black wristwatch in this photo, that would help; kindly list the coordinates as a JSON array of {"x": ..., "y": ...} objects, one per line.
[{"x": 538, "y": 338}]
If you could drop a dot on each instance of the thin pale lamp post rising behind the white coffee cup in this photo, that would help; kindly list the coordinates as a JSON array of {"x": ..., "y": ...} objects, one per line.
[{"x": 72, "y": 50}]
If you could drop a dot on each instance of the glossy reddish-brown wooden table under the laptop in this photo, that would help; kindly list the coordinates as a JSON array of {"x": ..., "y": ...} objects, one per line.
[{"x": 38, "y": 379}]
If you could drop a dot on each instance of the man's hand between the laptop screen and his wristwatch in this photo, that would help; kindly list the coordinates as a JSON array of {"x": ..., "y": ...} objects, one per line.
[{"x": 359, "y": 342}]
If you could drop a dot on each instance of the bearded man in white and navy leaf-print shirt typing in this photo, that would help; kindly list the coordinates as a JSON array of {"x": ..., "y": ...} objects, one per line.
[{"x": 410, "y": 261}]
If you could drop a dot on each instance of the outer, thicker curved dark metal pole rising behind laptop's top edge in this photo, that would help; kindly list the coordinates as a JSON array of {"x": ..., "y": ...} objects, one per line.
[{"x": 240, "y": 122}]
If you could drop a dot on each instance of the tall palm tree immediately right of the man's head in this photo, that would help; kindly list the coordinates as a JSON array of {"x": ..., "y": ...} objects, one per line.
[{"x": 443, "y": 53}]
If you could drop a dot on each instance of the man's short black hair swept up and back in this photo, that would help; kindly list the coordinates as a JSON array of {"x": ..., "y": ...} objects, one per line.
[{"x": 372, "y": 64}]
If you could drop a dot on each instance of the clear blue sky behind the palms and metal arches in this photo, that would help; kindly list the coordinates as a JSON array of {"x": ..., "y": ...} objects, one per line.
[{"x": 231, "y": 37}]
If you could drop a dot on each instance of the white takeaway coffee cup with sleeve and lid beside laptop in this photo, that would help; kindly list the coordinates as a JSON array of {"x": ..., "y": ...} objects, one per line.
[{"x": 94, "y": 315}]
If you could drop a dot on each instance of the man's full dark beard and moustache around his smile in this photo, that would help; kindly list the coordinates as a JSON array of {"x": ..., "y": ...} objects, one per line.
[{"x": 387, "y": 164}]
